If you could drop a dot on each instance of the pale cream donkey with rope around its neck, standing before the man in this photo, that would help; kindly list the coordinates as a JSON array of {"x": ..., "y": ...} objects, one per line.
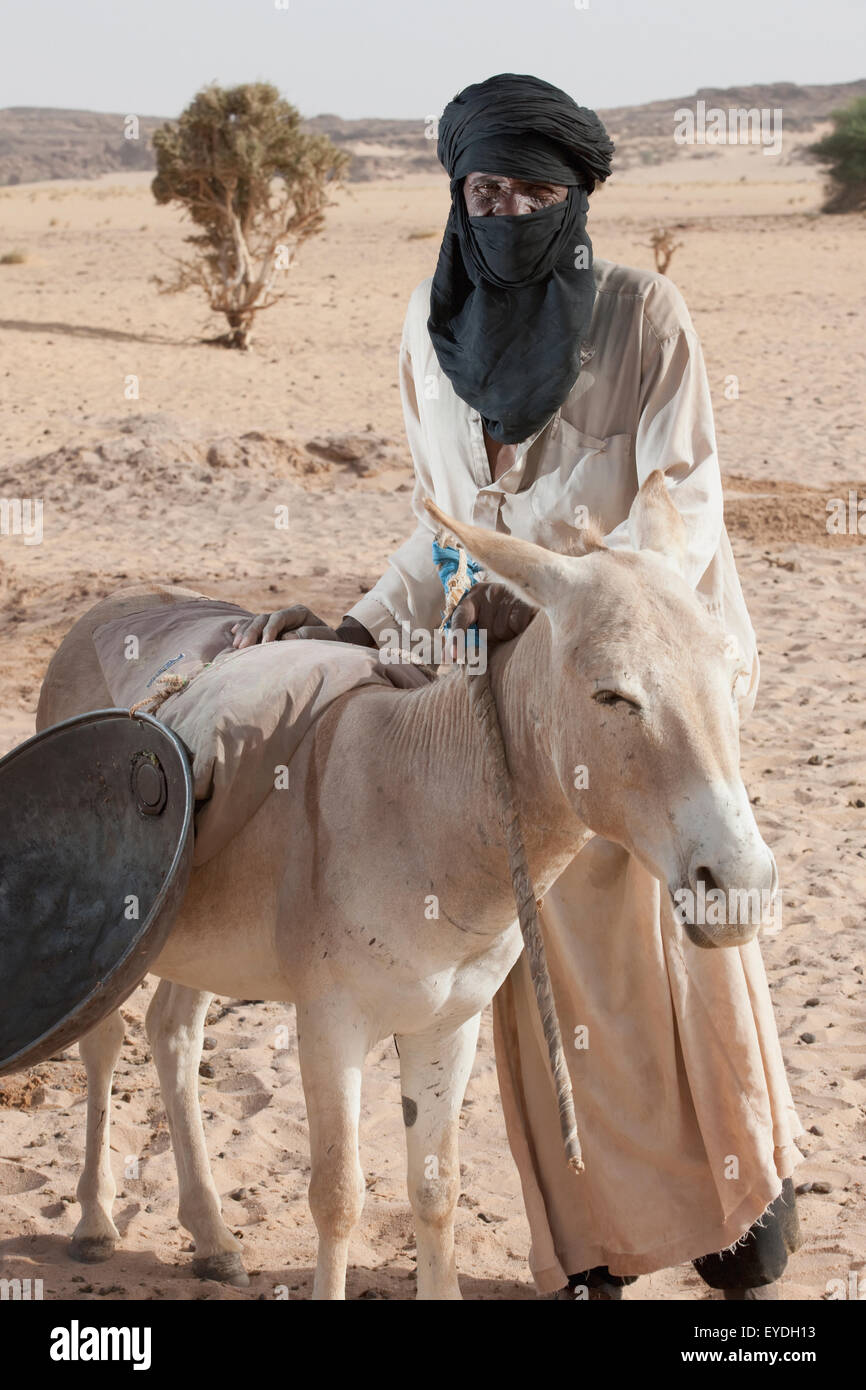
[{"x": 320, "y": 900}]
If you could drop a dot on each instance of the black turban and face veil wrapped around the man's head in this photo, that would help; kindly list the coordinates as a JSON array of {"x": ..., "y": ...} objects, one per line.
[{"x": 512, "y": 297}]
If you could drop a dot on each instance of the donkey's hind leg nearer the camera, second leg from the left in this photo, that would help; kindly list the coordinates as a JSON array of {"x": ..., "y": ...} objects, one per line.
[{"x": 176, "y": 1027}]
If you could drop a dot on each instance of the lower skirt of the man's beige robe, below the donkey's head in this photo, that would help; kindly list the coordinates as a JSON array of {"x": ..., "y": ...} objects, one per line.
[{"x": 683, "y": 1106}]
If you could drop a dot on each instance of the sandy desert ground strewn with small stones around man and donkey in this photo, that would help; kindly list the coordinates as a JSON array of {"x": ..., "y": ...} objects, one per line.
[{"x": 181, "y": 484}]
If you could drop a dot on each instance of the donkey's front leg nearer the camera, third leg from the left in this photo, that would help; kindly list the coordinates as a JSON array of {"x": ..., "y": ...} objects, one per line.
[{"x": 333, "y": 1045}]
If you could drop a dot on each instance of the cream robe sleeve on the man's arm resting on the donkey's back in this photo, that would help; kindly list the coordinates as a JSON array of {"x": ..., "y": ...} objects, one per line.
[{"x": 411, "y": 590}]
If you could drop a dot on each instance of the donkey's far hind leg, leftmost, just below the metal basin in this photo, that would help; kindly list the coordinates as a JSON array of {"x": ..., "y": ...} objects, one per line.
[{"x": 97, "y": 1234}]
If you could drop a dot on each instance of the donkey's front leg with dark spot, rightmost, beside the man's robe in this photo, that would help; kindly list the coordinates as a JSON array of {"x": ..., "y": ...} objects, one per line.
[{"x": 434, "y": 1072}]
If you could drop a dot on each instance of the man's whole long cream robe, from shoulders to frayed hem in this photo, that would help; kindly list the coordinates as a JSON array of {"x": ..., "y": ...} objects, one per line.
[{"x": 685, "y": 1110}]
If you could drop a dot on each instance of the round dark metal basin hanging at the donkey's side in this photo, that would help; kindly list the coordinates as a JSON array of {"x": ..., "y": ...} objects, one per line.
[{"x": 95, "y": 857}]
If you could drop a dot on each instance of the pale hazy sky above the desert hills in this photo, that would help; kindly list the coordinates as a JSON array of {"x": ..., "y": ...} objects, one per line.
[{"x": 408, "y": 58}]
